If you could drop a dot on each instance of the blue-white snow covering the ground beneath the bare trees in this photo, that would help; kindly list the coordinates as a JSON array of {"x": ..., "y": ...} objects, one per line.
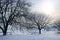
[{"x": 43, "y": 36}]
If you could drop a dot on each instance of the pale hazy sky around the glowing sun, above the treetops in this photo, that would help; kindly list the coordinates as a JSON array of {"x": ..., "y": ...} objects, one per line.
[{"x": 49, "y": 7}]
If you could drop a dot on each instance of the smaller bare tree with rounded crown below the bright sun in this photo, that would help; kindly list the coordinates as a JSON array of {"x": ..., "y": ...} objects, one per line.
[{"x": 39, "y": 20}]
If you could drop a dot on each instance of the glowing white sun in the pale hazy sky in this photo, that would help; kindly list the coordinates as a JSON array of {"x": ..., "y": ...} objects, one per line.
[{"x": 47, "y": 8}]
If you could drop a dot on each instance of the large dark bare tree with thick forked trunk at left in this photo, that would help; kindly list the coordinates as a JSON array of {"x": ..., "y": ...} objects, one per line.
[{"x": 10, "y": 10}]
